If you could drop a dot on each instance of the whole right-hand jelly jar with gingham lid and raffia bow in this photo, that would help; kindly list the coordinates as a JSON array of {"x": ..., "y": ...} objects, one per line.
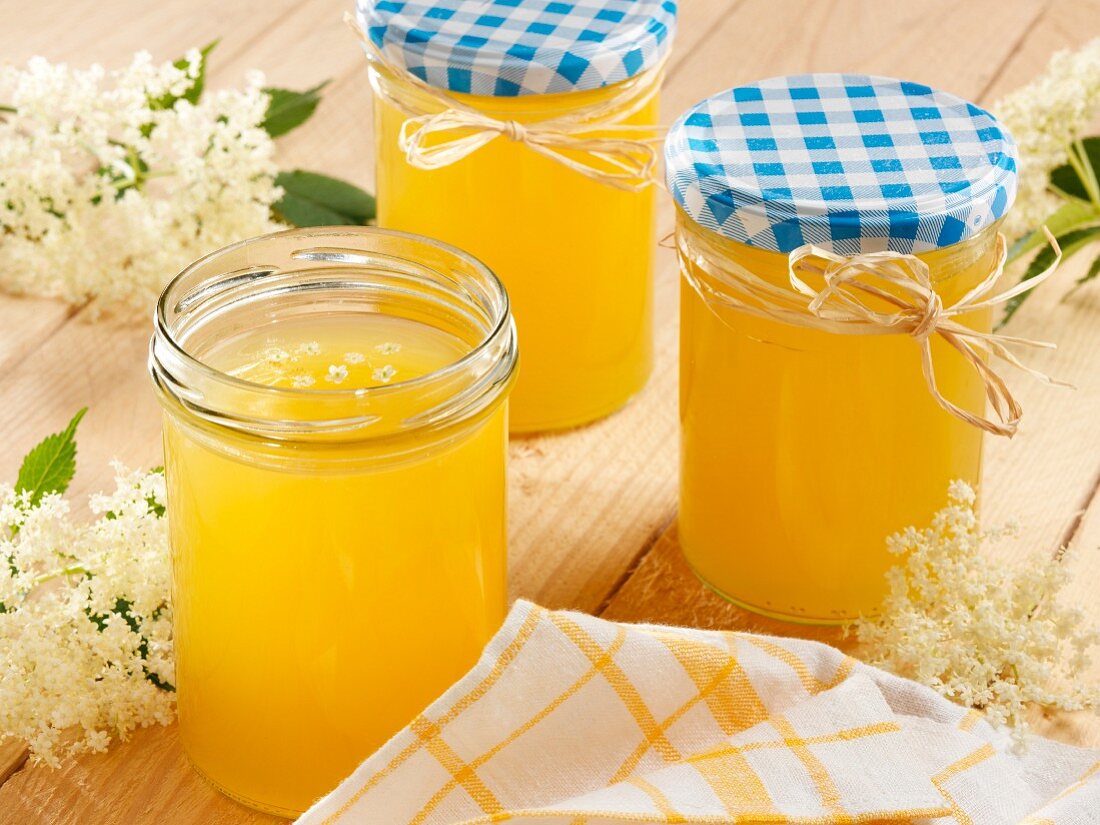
[{"x": 812, "y": 430}]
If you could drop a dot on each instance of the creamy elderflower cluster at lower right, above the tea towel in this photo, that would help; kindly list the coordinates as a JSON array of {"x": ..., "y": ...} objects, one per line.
[{"x": 981, "y": 634}]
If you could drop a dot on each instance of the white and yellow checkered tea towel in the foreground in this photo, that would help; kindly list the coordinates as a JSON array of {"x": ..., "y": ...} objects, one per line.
[{"x": 570, "y": 720}]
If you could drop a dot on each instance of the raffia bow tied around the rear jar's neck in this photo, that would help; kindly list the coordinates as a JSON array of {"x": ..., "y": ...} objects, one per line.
[{"x": 626, "y": 156}]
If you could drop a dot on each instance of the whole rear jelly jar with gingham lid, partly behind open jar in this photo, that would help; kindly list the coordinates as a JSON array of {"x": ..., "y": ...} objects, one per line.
[{"x": 525, "y": 133}]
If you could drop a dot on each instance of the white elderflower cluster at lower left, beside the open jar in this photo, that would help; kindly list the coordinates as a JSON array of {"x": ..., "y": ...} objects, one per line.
[{"x": 86, "y": 623}]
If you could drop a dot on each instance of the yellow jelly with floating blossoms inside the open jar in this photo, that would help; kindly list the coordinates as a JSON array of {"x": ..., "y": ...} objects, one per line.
[{"x": 322, "y": 601}]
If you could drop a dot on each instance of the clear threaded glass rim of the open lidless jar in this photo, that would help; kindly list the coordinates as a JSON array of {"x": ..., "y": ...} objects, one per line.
[{"x": 489, "y": 366}]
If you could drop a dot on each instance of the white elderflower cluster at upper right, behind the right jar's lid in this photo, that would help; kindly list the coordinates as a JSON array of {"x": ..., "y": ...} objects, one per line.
[{"x": 1046, "y": 117}]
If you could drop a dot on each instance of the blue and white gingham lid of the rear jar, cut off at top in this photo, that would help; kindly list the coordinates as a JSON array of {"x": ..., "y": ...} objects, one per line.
[{"x": 510, "y": 48}]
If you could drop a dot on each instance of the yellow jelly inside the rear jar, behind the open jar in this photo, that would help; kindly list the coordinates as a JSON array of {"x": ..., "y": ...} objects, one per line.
[{"x": 577, "y": 256}]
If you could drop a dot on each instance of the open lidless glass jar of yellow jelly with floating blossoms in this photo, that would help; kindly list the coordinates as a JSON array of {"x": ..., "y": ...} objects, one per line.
[{"x": 335, "y": 435}]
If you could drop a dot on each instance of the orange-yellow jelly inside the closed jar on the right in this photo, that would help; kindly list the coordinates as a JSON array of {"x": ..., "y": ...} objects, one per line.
[{"x": 804, "y": 450}]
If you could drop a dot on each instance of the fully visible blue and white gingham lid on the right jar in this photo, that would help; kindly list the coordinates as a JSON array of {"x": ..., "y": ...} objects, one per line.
[{"x": 851, "y": 163}]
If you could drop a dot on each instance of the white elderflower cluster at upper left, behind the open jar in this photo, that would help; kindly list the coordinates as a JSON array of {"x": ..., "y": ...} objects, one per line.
[{"x": 113, "y": 182}]
